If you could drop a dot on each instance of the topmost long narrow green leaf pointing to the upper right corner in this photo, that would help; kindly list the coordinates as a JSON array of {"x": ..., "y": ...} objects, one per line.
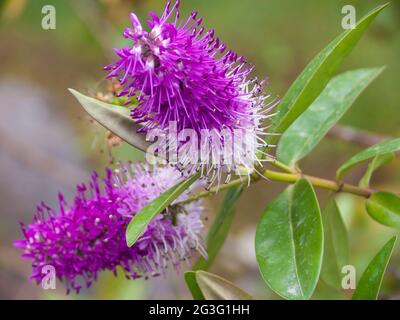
[{"x": 317, "y": 74}]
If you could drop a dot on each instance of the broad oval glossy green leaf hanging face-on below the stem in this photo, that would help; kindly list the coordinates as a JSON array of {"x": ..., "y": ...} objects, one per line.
[{"x": 289, "y": 242}]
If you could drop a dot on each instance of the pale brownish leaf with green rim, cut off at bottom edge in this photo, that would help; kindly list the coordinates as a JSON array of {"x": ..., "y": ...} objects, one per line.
[{"x": 214, "y": 287}]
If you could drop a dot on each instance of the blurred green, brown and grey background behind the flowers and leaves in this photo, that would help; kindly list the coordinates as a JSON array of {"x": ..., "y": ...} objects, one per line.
[{"x": 48, "y": 144}]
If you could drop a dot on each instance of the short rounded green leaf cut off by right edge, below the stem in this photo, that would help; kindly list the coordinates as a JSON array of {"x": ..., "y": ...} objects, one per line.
[{"x": 384, "y": 207}]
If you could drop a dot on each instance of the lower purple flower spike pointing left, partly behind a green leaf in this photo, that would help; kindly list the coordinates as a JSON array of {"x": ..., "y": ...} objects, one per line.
[{"x": 88, "y": 236}]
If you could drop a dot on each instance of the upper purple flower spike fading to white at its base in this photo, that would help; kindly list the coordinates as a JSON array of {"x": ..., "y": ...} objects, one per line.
[{"x": 180, "y": 73}]
